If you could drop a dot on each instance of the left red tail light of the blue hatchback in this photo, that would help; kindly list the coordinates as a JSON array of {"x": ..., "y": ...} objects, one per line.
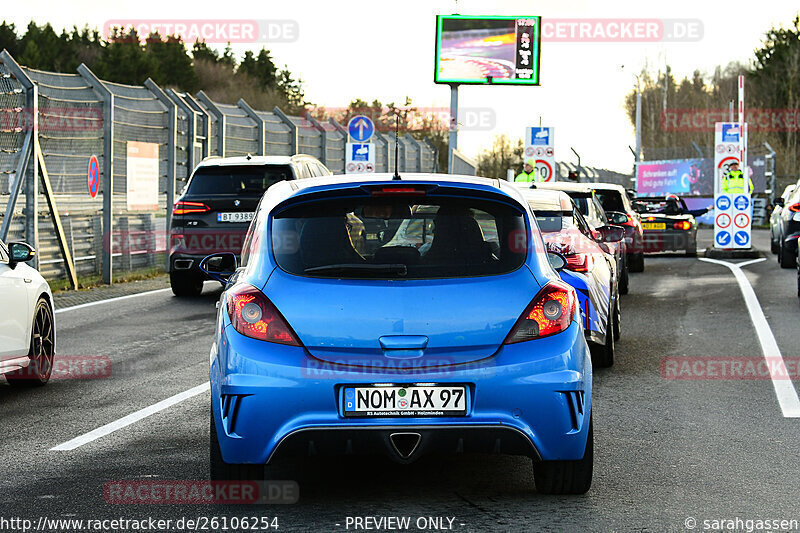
[{"x": 254, "y": 316}]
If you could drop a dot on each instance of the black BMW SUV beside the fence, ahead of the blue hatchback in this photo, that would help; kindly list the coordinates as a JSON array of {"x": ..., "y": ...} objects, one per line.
[{"x": 216, "y": 207}]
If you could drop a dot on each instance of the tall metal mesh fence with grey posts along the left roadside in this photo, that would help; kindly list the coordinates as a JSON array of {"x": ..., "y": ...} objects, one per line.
[{"x": 52, "y": 123}]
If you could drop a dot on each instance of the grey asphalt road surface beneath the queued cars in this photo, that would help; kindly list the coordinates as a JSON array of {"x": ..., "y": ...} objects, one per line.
[{"x": 665, "y": 449}]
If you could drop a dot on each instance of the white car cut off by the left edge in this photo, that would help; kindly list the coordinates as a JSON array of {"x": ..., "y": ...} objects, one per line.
[{"x": 27, "y": 326}]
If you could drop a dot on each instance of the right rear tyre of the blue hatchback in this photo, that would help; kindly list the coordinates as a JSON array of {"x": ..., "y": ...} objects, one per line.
[{"x": 566, "y": 477}]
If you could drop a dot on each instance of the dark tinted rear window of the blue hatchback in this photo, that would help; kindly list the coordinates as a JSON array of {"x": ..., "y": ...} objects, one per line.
[{"x": 400, "y": 238}]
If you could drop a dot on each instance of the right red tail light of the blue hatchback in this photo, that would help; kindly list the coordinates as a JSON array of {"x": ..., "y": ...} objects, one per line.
[{"x": 550, "y": 312}]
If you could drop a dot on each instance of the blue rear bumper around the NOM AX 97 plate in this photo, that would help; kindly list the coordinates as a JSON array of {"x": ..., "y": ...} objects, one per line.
[{"x": 267, "y": 398}]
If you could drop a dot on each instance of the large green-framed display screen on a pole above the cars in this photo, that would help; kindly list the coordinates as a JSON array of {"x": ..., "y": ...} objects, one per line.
[{"x": 487, "y": 50}]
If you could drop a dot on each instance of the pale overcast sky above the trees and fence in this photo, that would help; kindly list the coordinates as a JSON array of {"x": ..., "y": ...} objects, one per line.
[{"x": 382, "y": 49}]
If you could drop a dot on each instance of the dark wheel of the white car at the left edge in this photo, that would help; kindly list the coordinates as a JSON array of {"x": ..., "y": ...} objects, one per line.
[{"x": 41, "y": 352}]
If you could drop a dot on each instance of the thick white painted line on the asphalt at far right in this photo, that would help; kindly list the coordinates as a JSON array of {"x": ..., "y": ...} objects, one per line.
[{"x": 784, "y": 388}]
